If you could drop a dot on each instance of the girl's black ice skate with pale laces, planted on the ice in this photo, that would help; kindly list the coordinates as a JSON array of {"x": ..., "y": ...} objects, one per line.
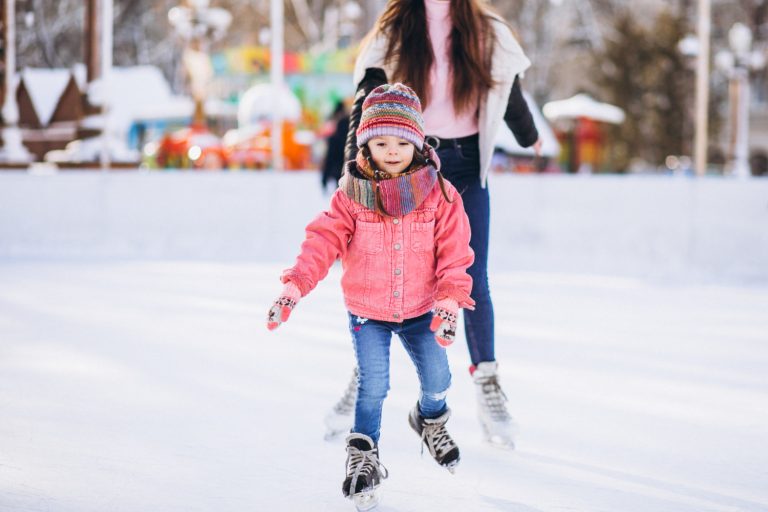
[{"x": 364, "y": 472}]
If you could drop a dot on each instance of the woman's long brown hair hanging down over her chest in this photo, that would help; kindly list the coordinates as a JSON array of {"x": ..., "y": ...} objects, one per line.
[{"x": 404, "y": 23}]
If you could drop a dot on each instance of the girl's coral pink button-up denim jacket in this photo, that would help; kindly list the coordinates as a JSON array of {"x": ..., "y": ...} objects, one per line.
[{"x": 394, "y": 268}]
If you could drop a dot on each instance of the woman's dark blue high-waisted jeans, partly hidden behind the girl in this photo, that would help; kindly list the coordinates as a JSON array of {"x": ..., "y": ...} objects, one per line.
[{"x": 461, "y": 166}]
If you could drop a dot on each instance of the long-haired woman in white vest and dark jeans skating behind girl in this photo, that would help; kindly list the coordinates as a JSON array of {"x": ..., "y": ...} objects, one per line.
[{"x": 466, "y": 69}]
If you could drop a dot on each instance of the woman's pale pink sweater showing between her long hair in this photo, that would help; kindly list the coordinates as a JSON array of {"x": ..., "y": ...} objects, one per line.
[{"x": 440, "y": 119}]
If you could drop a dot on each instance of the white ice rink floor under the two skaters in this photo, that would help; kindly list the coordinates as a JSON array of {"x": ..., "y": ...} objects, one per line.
[{"x": 155, "y": 386}]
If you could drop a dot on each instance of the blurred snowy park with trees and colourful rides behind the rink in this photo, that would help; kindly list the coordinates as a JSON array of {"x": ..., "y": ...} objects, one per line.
[{"x": 175, "y": 84}]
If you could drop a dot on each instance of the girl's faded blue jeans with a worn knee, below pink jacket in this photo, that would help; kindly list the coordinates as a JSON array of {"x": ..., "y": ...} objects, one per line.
[{"x": 372, "y": 340}]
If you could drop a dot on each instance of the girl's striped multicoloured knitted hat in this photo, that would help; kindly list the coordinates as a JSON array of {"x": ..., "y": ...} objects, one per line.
[{"x": 392, "y": 110}]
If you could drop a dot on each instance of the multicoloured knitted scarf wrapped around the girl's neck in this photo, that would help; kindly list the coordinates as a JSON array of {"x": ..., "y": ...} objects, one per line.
[{"x": 400, "y": 195}]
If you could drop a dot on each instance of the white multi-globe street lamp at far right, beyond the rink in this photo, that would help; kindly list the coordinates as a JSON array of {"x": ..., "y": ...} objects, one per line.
[{"x": 737, "y": 63}]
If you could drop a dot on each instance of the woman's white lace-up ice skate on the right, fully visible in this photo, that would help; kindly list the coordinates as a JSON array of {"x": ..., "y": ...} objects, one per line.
[{"x": 497, "y": 424}]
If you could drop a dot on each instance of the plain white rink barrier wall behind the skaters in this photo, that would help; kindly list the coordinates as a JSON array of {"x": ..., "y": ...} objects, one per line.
[{"x": 708, "y": 229}]
